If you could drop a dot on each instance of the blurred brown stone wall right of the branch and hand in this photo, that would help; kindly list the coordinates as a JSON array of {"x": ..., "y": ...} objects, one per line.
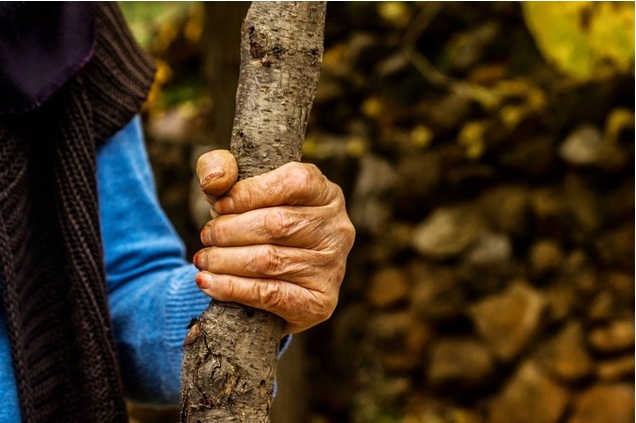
[{"x": 493, "y": 274}]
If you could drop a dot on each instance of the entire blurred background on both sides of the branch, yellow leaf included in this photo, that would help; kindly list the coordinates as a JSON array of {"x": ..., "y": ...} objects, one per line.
[{"x": 486, "y": 150}]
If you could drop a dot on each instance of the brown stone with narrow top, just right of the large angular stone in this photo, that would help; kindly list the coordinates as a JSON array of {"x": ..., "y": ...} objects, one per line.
[{"x": 565, "y": 357}]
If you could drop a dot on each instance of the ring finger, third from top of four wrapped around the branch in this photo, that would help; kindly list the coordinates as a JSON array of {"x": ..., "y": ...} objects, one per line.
[{"x": 303, "y": 267}]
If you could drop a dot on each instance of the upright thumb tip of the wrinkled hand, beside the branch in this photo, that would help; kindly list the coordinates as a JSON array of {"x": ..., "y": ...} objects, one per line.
[{"x": 217, "y": 172}]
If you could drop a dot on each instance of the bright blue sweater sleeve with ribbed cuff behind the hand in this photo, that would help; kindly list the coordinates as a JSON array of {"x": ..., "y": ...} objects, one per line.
[{"x": 151, "y": 286}]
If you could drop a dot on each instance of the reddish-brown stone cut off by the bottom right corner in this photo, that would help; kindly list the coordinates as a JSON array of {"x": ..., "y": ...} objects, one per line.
[{"x": 605, "y": 404}]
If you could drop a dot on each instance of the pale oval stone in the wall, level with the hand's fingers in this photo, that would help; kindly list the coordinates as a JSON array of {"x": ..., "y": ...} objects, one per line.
[{"x": 447, "y": 232}]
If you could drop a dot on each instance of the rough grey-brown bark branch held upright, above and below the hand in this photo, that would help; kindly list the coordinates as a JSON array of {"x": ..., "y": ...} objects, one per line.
[{"x": 231, "y": 351}]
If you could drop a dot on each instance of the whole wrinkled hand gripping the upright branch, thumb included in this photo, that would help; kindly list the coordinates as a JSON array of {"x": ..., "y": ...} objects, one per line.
[{"x": 279, "y": 243}]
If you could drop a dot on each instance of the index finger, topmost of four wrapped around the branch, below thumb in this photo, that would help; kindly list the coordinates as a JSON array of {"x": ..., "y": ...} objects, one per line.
[{"x": 290, "y": 184}]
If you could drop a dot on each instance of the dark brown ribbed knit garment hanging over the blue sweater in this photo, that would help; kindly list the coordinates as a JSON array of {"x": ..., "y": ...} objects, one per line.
[{"x": 51, "y": 261}]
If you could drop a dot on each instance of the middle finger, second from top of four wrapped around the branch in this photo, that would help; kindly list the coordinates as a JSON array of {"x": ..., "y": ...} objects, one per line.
[{"x": 306, "y": 227}]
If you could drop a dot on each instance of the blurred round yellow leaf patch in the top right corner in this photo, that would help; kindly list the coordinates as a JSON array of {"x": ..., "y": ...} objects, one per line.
[{"x": 586, "y": 40}]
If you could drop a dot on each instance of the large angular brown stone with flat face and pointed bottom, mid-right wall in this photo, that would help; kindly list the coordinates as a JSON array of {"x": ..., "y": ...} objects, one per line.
[{"x": 509, "y": 321}]
